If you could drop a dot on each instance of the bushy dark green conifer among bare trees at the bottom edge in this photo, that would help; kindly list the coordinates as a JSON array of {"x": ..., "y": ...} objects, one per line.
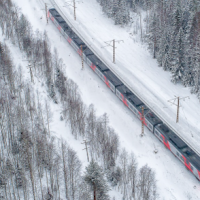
[{"x": 95, "y": 178}]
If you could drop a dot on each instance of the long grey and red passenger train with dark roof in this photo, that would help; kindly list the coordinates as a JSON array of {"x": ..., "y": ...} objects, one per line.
[{"x": 171, "y": 141}]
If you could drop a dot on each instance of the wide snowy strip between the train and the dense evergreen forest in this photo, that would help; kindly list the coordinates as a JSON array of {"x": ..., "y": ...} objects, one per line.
[{"x": 136, "y": 66}]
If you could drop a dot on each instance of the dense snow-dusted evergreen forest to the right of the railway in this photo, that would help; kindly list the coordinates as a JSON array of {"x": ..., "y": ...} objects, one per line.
[{"x": 171, "y": 29}]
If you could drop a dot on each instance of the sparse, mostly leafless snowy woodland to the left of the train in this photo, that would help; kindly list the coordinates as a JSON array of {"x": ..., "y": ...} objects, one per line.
[{"x": 34, "y": 163}]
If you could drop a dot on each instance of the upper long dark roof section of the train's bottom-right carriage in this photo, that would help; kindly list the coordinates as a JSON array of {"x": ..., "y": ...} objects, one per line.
[{"x": 171, "y": 136}]
